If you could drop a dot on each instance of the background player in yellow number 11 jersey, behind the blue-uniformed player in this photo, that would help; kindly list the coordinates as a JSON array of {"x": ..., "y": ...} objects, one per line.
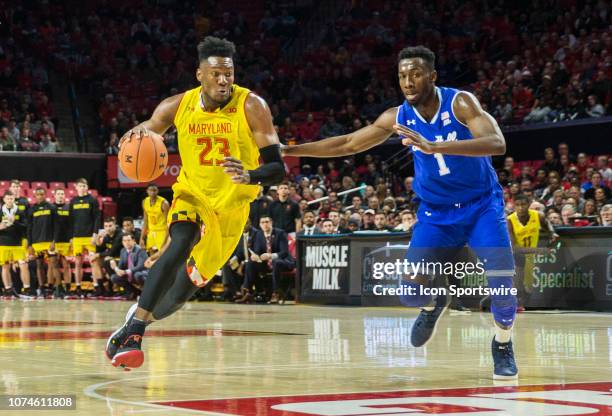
[{"x": 524, "y": 226}]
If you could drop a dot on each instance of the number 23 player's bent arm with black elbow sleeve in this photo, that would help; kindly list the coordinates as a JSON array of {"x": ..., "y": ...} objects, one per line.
[{"x": 272, "y": 171}]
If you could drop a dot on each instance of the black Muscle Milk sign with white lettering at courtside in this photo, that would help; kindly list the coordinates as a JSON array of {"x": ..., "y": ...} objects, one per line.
[{"x": 326, "y": 266}]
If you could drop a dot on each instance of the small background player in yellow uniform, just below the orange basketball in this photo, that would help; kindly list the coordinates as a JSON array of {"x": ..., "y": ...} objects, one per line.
[{"x": 155, "y": 227}]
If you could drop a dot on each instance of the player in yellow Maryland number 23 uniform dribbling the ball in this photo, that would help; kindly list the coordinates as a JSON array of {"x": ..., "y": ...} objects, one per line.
[{"x": 222, "y": 129}]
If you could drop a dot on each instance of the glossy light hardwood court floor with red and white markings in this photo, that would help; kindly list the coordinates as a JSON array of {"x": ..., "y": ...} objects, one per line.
[{"x": 213, "y": 358}]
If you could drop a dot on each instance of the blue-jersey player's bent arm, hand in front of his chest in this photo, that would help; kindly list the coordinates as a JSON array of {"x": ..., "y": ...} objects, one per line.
[{"x": 487, "y": 139}]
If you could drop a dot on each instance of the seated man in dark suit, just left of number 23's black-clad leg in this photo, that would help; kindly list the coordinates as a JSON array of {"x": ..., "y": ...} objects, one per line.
[{"x": 131, "y": 267}]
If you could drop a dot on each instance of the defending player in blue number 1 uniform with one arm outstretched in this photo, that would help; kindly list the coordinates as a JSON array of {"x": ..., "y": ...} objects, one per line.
[{"x": 452, "y": 139}]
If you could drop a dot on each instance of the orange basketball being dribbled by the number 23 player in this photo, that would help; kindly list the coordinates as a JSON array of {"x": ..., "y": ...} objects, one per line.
[{"x": 143, "y": 159}]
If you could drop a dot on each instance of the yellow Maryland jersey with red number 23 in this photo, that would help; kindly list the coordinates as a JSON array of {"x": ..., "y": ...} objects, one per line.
[{"x": 205, "y": 138}]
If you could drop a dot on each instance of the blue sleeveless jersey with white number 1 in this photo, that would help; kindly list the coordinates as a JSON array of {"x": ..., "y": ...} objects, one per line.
[{"x": 446, "y": 179}]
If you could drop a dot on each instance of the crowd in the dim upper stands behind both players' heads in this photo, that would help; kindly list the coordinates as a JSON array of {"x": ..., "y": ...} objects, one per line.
[{"x": 532, "y": 62}]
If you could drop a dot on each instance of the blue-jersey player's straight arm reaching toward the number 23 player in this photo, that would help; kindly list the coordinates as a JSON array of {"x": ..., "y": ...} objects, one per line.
[{"x": 348, "y": 144}]
